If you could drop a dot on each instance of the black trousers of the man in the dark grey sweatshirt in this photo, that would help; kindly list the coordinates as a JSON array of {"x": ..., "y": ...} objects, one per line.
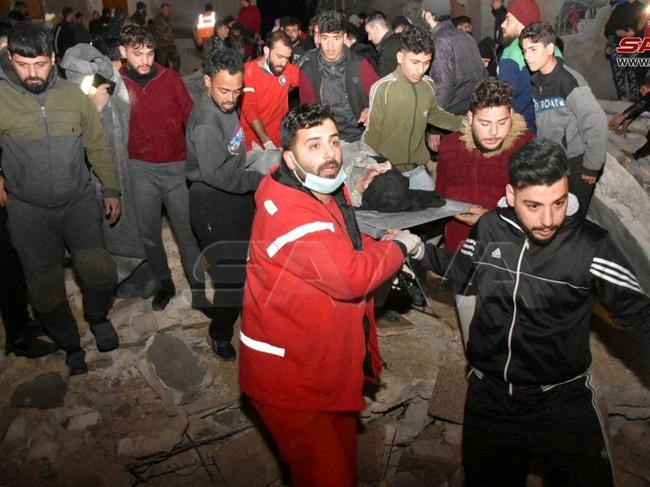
[{"x": 222, "y": 224}]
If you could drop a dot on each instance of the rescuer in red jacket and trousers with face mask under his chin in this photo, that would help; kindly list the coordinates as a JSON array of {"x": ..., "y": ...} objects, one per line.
[{"x": 308, "y": 335}]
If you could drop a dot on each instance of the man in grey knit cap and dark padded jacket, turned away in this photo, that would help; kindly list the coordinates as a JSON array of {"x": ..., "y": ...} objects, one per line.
[{"x": 456, "y": 67}]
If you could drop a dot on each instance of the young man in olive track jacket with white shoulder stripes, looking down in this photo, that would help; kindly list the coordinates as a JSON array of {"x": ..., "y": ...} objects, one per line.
[{"x": 401, "y": 106}]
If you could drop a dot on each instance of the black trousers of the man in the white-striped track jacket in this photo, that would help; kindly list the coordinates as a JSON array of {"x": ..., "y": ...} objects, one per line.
[{"x": 558, "y": 429}]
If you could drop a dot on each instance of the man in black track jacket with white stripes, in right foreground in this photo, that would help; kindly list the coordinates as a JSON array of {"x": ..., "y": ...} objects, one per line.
[{"x": 534, "y": 267}]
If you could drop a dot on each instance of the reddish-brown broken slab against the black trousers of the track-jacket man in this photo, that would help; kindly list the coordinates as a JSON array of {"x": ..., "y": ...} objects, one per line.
[{"x": 448, "y": 396}]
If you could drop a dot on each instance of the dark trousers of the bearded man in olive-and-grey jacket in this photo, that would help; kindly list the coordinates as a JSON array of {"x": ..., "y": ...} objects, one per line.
[{"x": 40, "y": 236}]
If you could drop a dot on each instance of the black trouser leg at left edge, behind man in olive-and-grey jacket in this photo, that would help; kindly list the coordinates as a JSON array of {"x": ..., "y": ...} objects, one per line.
[{"x": 13, "y": 291}]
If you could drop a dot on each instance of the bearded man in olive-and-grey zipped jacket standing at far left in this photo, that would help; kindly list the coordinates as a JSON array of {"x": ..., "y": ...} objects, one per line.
[{"x": 48, "y": 127}]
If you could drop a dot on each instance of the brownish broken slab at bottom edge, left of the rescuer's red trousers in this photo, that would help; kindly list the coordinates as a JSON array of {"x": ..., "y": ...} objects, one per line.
[{"x": 251, "y": 448}]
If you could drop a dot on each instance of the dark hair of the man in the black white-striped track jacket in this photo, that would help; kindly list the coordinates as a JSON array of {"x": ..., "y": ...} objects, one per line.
[{"x": 538, "y": 162}]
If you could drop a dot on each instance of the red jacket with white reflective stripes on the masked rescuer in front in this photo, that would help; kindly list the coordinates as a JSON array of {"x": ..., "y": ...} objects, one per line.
[{"x": 307, "y": 292}]
